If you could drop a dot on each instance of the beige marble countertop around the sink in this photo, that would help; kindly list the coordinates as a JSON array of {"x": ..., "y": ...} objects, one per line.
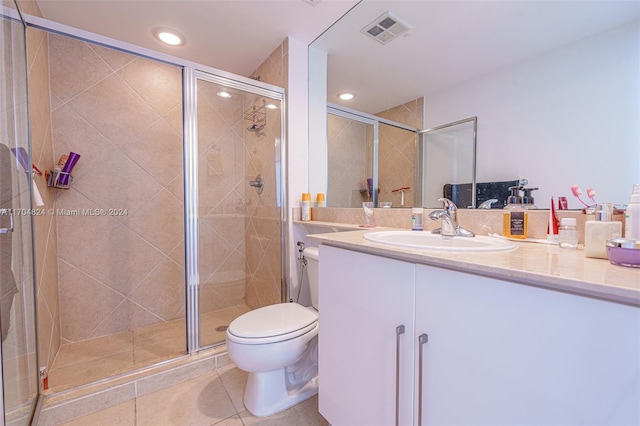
[{"x": 540, "y": 265}]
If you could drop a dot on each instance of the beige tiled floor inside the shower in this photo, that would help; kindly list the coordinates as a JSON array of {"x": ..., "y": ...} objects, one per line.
[{"x": 91, "y": 360}]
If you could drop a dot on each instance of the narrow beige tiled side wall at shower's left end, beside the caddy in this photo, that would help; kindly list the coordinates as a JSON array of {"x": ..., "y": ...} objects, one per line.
[{"x": 45, "y": 238}]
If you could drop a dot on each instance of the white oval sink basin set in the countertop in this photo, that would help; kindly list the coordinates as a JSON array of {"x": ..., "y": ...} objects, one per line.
[{"x": 429, "y": 241}]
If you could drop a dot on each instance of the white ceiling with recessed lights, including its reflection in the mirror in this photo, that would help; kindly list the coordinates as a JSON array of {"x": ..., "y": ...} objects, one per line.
[{"x": 450, "y": 41}]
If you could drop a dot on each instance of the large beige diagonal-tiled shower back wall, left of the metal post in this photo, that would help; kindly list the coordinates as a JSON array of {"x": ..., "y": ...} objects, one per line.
[{"x": 120, "y": 226}]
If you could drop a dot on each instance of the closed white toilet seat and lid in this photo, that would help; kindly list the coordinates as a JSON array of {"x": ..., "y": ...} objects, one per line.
[{"x": 273, "y": 323}]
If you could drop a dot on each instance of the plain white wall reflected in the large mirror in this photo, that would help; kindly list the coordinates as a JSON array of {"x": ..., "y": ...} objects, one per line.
[{"x": 568, "y": 117}]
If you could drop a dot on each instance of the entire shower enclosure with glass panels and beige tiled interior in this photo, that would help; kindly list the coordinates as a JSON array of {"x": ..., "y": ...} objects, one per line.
[{"x": 172, "y": 225}]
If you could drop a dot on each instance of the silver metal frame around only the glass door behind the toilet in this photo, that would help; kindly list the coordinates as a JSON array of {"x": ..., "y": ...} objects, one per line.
[{"x": 191, "y": 202}]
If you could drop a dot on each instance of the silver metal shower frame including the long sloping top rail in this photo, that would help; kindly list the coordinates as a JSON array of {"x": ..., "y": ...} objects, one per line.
[{"x": 190, "y": 71}]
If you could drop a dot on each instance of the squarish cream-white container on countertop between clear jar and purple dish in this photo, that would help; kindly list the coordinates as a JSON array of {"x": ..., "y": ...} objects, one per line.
[{"x": 598, "y": 231}]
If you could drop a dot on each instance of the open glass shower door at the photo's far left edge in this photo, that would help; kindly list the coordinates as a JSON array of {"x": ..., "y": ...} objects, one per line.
[{"x": 17, "y": 307}]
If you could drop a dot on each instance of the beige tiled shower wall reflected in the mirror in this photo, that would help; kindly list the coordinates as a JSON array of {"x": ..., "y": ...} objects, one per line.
[{"x": 396, "y": 152}]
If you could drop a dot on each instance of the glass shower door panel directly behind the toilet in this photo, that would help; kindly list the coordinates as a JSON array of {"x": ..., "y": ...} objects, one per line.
[{"x": 239, "y": 203}]
